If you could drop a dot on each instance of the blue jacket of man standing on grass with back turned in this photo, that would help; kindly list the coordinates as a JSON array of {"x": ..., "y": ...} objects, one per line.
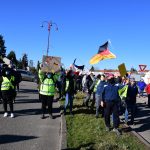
[{"x": 110, "y": 93}]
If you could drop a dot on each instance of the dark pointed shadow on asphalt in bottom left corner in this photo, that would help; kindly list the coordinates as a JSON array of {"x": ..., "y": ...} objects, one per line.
[{"x": 14, "y": 138}]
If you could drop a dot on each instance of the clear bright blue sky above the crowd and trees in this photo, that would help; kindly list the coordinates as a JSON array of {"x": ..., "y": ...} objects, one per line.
[{"x": 83, "y": 25}]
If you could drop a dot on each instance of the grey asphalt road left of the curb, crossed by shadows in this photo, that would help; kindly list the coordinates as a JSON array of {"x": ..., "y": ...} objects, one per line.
[{"x": 27, "y": 131}]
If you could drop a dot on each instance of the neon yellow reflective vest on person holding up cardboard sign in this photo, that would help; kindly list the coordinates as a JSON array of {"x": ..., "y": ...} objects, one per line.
[{"x": 47, "y": 87}]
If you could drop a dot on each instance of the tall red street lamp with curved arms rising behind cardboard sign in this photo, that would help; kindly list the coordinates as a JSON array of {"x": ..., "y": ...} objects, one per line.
[{"x": 50, "y": 24}]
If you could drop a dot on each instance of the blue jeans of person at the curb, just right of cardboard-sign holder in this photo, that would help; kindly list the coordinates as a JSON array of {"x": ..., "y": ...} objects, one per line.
[{"x": 69, "y": 99}]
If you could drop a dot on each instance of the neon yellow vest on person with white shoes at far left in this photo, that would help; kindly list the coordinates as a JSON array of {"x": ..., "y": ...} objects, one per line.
[{"x": 6, "y": 84}]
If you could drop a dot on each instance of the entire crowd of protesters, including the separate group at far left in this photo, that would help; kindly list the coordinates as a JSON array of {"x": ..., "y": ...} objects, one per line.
[{"x": 111, "y": 95}]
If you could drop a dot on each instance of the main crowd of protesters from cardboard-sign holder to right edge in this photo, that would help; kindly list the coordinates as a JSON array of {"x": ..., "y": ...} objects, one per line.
[{"x": 110, "y": 95}]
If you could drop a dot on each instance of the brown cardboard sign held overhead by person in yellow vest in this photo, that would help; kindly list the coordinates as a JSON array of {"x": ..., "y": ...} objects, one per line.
[{"x": 51, "y": 64}]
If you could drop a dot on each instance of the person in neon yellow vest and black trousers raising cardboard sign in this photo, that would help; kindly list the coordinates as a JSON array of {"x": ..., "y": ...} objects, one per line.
[{"x": 47, "y": 91}]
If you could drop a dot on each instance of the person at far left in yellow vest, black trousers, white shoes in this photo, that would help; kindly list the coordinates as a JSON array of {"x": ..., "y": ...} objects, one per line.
[{"x": 6, "y": 89}]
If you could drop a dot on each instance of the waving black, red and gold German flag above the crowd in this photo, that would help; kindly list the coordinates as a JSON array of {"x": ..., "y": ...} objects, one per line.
[{"x": 103, "y": 53}]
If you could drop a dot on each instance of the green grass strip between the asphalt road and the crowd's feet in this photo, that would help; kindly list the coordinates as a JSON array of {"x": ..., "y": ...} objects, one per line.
[{"x": 85, "y": 132}]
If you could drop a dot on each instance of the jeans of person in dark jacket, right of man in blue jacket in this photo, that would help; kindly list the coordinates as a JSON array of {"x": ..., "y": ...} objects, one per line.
[{"x": 132, "y": 108}]
